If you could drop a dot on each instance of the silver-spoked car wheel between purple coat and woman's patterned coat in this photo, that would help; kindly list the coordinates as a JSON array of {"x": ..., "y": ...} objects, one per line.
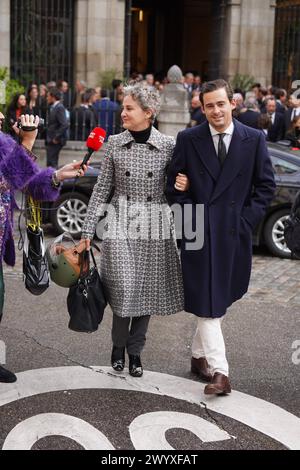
[{"x": 69, "y": 214}]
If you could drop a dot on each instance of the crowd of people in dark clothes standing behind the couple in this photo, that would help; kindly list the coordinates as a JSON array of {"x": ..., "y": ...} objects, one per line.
[{"x": 270, "y": 109}]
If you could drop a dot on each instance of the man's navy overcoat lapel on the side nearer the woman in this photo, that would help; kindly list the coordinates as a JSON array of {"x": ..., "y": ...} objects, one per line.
[{"x": 204, "y": 147}]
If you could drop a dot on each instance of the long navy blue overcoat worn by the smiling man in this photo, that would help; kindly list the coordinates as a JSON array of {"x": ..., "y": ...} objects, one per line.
[{"x": 235, "y": 198}]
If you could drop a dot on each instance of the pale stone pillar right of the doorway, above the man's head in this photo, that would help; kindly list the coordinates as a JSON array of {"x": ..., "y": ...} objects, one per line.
[{"x": 249, "y": 34}]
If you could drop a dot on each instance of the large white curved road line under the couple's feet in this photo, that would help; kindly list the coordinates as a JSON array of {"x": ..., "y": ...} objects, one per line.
[{"x": 260, "y": 415}]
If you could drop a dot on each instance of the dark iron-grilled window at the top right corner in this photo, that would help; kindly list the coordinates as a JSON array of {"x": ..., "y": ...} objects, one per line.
[{"x": 286, "y": 64}]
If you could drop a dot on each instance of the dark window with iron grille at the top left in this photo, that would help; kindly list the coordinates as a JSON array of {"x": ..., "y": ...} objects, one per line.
[{"x": 42, "y": 40}]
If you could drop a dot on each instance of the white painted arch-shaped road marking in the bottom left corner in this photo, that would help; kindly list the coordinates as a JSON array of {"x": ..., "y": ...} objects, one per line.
[{"x": 28, "y": 432}]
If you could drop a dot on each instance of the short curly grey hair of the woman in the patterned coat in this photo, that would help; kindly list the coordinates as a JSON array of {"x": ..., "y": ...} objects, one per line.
[{"x": 147, "y": 97}]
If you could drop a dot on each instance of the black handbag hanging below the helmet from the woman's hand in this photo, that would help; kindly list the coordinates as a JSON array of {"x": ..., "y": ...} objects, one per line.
[{"x": 86, "y": 300}]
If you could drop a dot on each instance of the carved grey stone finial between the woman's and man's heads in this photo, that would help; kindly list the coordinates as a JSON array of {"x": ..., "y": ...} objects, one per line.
[{"x": 174, "y": 114}]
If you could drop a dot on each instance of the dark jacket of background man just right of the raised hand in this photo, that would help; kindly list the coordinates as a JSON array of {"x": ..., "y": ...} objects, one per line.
[{"x": 57, "y": 124}]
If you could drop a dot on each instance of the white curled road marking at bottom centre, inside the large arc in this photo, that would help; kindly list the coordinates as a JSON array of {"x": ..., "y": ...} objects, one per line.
[{"x": 148, "y": 431}]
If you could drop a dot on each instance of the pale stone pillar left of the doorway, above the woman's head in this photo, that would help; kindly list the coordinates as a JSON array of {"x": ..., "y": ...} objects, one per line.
[{"x": 99, "y": 38}]
